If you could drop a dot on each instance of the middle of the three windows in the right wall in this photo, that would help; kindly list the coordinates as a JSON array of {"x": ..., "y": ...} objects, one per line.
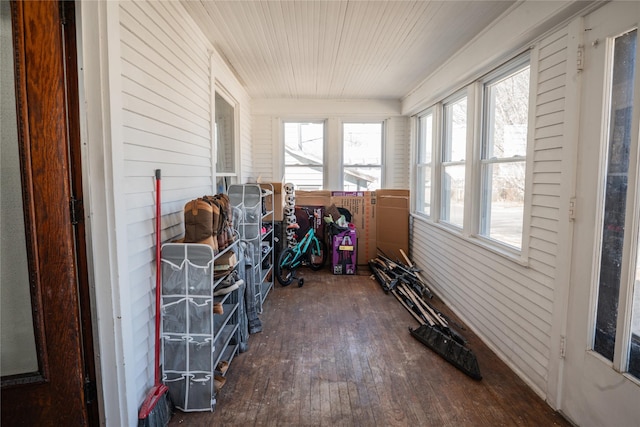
[{"x": 454, "y": 147}]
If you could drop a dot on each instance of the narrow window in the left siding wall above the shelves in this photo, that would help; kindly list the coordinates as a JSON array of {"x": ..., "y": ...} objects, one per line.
[{"x": 224, "y": 139}]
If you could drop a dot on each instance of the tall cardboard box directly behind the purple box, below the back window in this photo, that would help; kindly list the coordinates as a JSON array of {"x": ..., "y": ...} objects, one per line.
[{"x": 362, "y": 206}]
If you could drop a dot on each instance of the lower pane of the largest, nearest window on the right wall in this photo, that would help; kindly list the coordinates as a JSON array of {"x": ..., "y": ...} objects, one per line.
[{"x": 505, "y": 202}]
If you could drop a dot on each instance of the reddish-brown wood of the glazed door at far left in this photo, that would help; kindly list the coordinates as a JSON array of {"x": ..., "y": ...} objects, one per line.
[{"x": 54, "y": 393}]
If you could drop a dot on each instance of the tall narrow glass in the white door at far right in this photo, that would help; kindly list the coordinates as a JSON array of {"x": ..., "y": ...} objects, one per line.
[{"x": 615, "y": 221}]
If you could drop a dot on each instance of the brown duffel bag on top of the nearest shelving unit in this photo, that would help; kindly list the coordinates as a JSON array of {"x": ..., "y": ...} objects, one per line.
[{"x": 199, "y": 218}]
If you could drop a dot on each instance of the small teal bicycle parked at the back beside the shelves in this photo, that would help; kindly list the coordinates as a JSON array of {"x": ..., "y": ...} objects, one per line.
[{"x": 310, "y": 251}]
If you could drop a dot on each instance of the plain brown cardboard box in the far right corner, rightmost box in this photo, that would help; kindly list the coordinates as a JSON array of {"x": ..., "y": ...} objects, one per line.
[{"x": 392, "y": 222}]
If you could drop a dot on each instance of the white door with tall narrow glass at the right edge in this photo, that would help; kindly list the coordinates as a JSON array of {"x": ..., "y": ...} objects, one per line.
[{"x": 596, "y": 388}]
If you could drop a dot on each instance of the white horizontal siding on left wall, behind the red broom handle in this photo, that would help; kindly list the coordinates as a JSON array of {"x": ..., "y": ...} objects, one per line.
[{"x": 166, "y": 117}]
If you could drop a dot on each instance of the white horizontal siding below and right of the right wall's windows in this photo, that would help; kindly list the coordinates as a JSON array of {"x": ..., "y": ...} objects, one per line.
[{"x": 511, "y": 306}]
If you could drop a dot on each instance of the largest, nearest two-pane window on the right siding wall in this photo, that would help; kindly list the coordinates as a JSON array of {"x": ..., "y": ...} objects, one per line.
[{"x": 504, "y": 148}]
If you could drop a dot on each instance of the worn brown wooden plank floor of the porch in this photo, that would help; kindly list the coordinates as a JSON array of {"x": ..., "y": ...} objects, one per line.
[{"x": 337, "y": 352}]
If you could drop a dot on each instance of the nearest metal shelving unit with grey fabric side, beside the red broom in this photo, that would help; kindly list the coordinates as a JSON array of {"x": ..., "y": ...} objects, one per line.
[{"x": 194, "y": 339}]
